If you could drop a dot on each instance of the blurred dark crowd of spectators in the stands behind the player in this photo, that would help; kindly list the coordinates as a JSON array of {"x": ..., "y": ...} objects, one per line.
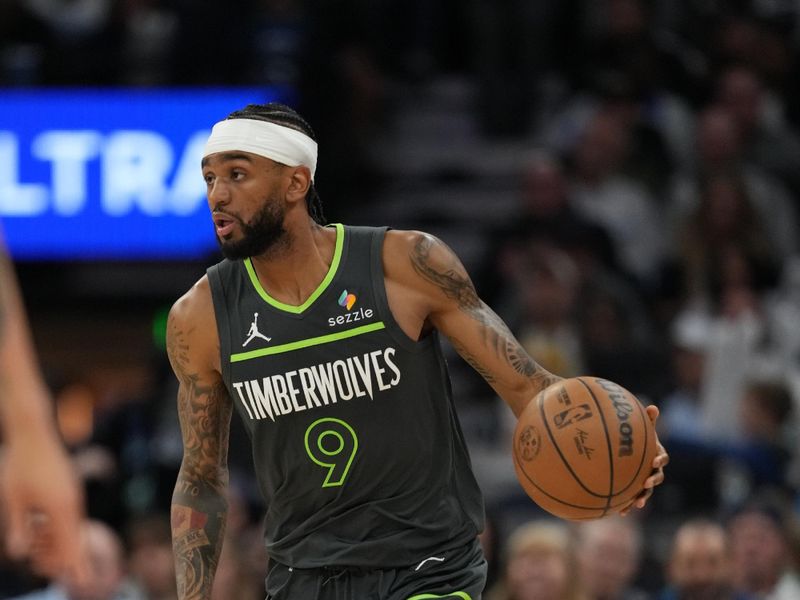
[{"x": 655, "y": 243}]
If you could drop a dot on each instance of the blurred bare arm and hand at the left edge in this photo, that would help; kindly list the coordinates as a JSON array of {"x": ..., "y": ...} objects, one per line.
[{"x": 39, "y": 492}]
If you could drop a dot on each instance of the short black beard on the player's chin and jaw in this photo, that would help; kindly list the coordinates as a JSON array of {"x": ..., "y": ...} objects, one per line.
[{"x": 262, "y": 235}]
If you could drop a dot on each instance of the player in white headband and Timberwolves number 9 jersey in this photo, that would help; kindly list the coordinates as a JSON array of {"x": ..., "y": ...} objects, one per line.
[{"x": 357, "y": 448}]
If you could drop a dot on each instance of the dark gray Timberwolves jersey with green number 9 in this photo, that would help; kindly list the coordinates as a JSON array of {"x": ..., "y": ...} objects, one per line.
[{"x": 356, "y": 444}]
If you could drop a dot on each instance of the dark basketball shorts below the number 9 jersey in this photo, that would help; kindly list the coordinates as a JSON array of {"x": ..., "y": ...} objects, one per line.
[{"x": 458, "y": 574}]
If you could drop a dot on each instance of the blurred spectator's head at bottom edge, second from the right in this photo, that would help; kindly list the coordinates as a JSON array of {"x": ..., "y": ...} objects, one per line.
[{"x": 699, "y": 565}]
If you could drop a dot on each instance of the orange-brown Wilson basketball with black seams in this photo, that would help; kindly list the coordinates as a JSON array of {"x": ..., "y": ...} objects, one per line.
[{"x": 583, "y": 448}]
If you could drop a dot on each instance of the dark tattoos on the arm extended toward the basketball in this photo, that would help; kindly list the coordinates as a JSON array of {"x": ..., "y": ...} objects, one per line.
[{"x": 454, "y": 282}]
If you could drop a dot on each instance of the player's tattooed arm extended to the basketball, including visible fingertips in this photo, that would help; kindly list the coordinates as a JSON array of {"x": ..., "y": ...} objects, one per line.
[{"x": 435, "y": 278}]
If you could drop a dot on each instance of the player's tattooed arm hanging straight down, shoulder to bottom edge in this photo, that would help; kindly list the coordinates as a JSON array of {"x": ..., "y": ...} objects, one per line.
[{"x": 199, "y": 505}]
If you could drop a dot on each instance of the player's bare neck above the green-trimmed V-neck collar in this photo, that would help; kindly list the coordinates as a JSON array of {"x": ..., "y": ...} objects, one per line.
[{"x": 293, "y": 275}]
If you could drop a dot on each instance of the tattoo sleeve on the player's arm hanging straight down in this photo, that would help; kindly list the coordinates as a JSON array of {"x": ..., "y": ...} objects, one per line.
[{"x": 199, "y": 505}]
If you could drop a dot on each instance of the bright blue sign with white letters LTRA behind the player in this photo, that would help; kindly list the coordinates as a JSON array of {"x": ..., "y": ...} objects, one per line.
[{"x": 109, "y": 174}]
